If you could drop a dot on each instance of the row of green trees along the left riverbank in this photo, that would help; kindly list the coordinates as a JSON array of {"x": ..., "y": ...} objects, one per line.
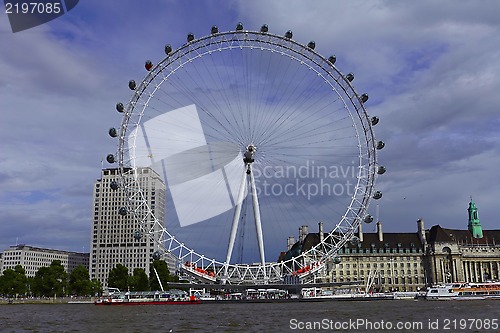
[{"x": 53, "y": 280}]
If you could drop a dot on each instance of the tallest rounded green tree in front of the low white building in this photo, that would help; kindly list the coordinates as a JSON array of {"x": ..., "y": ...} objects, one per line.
[{"x": 51, "y": 280}]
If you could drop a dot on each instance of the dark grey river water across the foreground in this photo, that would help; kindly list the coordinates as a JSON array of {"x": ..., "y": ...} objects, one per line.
[{"x": 333, "y": 316}]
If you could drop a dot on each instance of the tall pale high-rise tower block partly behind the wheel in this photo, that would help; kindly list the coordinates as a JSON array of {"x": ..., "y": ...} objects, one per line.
[{"x": 112, "y": 238}]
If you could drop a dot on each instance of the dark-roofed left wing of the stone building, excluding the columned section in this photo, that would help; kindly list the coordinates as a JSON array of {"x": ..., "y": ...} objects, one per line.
[{"x": 377, "y": 261}]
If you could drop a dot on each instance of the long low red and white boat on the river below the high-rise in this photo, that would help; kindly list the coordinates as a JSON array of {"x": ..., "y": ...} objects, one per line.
[{"x": 170, "y": 297}]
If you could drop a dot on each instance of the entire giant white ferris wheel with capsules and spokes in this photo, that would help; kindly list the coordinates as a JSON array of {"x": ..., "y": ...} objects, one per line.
[{"x": 255, "y": 136}]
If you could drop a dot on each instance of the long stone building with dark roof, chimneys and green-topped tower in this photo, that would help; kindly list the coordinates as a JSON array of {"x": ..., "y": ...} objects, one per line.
[{"x": 411, "y": 261}]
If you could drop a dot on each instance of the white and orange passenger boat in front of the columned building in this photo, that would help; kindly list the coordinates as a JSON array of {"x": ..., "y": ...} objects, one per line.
[{"x": 464, "y": 291}]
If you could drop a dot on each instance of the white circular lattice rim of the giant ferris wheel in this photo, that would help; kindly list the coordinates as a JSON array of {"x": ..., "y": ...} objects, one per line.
[{"x": 367, "y": 133}]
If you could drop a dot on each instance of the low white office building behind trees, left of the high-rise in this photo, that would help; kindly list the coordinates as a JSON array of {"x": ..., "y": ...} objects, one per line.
[{"x": 33, "y": 258}]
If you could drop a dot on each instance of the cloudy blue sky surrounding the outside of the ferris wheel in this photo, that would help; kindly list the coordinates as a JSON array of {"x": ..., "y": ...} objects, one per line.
[{"x": 430, "y": 68}]
